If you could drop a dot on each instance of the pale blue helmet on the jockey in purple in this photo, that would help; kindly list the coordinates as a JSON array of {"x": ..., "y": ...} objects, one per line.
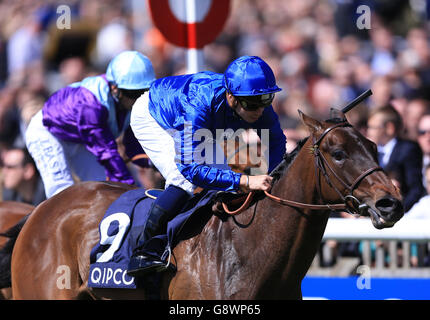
[{"x": 130, "y": 70}]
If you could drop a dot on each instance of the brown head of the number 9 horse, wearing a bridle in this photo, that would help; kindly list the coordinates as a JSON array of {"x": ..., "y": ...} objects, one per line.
[{"x": 348, "y": 170}]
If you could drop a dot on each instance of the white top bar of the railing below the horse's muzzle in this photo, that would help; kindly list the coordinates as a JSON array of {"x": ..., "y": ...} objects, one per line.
[{"x": 343, "y": 229}]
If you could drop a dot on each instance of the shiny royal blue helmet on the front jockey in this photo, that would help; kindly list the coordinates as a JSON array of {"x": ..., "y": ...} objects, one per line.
[{"x": 250, "y": 76}]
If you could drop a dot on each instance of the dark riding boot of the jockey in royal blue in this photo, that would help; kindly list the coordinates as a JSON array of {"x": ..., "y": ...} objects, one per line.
[{"x": 164, "y": 208}]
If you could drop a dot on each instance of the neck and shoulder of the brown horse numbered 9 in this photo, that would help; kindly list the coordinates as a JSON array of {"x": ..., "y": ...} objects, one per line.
[{"x": 268, "y": 258}]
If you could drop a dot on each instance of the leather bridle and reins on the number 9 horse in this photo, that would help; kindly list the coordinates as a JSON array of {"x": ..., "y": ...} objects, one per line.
[{"x": 350, "y": 203}]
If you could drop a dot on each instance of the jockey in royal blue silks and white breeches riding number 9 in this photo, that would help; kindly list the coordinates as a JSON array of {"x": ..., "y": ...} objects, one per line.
[{"x": 169, "y": 123}]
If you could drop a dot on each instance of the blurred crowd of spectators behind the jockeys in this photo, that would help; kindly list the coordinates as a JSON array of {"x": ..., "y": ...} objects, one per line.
[{"x": 321, "y": 55}]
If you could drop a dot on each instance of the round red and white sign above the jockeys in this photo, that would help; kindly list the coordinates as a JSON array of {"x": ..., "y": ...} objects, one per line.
[{"x": 189, "y": 23}]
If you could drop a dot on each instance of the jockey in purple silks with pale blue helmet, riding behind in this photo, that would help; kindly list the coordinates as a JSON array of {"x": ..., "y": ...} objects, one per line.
[{"x": 75, "y": 131}]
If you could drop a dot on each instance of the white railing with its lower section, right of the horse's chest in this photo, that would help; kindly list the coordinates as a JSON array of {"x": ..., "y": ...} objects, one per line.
[{"x": 397, "y": 243}]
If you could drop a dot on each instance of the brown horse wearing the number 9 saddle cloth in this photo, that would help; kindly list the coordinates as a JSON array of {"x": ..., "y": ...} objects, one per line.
[{"x": 335, "y": 168}]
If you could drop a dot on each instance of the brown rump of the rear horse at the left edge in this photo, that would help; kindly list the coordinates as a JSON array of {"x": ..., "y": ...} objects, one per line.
[{"x": 11, "y": 213}]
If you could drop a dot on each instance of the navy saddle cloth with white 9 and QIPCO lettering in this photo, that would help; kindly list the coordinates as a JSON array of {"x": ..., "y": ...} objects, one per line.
[{"x": 123, "y": 222}]
